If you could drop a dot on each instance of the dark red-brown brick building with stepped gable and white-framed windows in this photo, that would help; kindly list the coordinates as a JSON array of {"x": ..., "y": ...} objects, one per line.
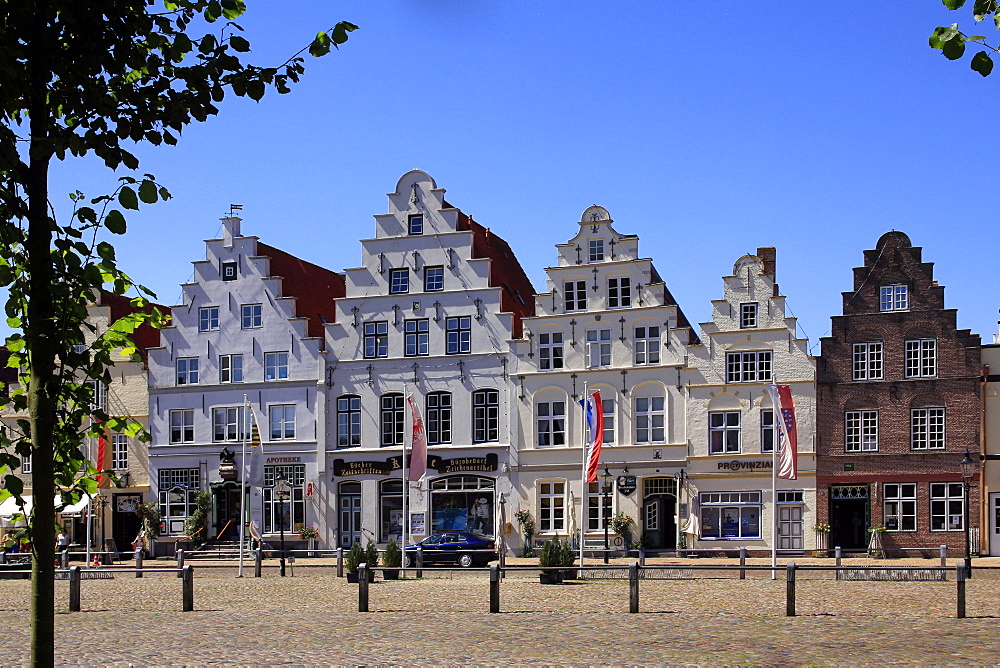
[{"x": 898, "y": 402}]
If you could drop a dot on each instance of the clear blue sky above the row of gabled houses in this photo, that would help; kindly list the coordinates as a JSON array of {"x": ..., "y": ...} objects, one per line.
[{"x": 707, "y": 129}]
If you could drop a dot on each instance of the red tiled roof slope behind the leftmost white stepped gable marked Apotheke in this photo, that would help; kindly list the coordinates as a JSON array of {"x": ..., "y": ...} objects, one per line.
[{"x": 315, "y": 288}]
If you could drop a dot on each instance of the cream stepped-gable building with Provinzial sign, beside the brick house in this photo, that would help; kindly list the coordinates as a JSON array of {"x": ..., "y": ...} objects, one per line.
[{"x": 748, "y": 344}]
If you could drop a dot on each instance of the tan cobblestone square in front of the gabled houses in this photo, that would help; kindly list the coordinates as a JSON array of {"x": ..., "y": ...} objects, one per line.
[{"x": 443, "y": 619}]
